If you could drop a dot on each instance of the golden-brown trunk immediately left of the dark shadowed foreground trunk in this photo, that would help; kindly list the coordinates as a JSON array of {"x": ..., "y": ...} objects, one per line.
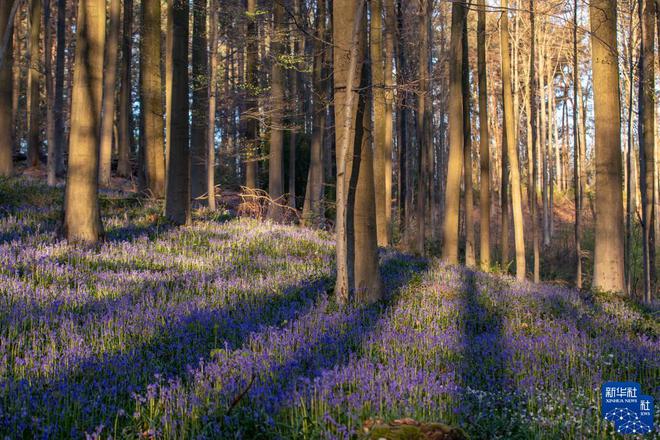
[{"x": 151, "y": 99}]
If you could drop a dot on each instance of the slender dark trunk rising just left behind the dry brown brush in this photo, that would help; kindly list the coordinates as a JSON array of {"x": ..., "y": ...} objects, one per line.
[{"x": 252, "y": 83}]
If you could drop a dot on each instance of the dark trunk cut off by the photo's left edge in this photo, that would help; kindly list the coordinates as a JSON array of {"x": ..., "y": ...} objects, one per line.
[{"x": 6, "y": 84}]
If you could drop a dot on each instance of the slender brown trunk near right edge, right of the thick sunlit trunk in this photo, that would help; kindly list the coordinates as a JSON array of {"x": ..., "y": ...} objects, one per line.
[{"x": 647, "y": 142}]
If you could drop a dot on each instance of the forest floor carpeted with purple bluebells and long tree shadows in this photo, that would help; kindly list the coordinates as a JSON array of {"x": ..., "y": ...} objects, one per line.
[{"x": 228, "y": 328}]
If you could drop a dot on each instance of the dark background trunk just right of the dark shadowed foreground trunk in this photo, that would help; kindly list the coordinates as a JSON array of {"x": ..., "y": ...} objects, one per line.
[{"x": 200, "y": 103}]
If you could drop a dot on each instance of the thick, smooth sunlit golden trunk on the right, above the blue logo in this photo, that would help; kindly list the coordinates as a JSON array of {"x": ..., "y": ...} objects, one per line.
[{"x": 608, "y": 253}]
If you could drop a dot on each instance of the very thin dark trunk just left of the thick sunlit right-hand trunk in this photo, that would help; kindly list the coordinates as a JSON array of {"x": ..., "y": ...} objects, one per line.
[{"x": 576, "y": 156}]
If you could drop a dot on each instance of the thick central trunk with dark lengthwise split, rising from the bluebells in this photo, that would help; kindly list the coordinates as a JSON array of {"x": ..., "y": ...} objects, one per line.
[{"x": 358, "y": 278}]
